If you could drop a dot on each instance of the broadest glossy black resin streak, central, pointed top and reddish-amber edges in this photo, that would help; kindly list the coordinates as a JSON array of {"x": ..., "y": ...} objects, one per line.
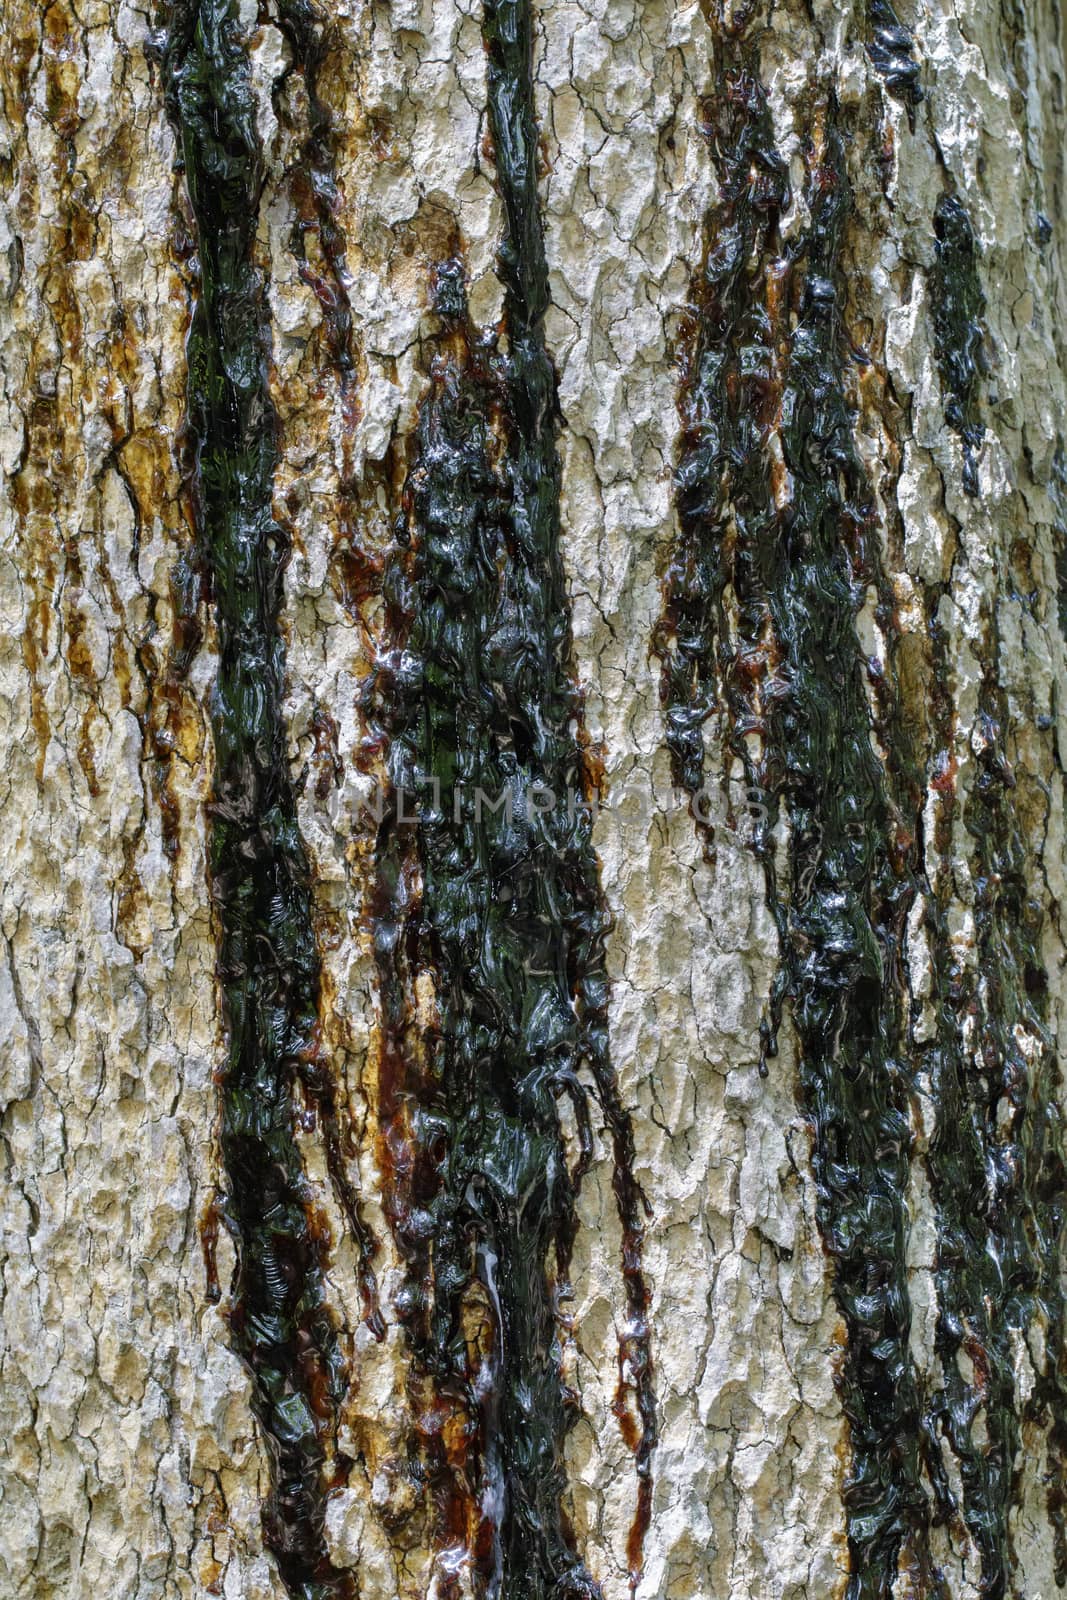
[{"x": 481, "y": 934}]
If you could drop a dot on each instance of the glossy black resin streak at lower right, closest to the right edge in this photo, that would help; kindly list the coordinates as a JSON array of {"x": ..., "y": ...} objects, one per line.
[{"x": 997, "y": 1162}]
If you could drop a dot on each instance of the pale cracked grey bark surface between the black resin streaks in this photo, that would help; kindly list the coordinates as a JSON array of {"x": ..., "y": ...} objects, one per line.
[{"x": 130, "y": 1463}]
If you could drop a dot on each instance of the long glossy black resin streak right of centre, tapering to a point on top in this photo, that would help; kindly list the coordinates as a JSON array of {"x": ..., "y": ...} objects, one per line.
[{"x": 849, "y": 898}]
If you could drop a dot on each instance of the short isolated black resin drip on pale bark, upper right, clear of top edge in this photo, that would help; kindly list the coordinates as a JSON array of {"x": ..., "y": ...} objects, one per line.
[{"x": 959, "y": 306}]
